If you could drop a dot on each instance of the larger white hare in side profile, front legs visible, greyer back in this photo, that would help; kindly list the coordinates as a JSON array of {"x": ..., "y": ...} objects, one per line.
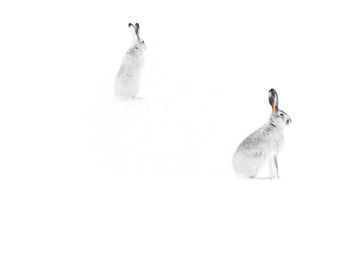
[{"x": 263, "y": 145}]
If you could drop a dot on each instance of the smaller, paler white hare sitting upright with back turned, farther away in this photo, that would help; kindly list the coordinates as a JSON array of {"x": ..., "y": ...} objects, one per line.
[{"x": 128, "y": 78}]
